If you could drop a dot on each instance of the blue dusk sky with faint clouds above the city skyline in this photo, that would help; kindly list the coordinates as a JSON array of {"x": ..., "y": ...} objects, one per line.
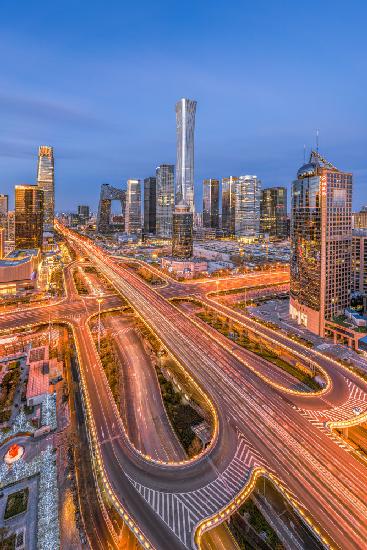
[{"x": 99, "y": 82}]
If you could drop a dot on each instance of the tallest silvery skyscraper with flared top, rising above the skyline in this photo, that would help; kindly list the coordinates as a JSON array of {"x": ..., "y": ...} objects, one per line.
[{"x": 185, "y": 126}]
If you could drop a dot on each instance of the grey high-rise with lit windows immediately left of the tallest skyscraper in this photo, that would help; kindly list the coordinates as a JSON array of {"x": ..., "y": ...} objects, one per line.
[{"x": 165, "y": 175}]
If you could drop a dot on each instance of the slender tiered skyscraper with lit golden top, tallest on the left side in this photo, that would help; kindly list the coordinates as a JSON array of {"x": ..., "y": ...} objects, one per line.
[{"x": 45, "y": 181}]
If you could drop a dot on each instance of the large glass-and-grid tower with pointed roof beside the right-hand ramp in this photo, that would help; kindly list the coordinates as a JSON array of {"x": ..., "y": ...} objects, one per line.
[{"x": 321, "y": 241}]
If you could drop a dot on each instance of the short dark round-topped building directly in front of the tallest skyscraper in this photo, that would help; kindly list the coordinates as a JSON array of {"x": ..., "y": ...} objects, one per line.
[{"x": 182, "y": 237}]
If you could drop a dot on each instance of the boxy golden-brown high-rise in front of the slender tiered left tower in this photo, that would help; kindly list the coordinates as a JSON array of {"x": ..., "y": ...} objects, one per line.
[{"x": 29, "y": 201}]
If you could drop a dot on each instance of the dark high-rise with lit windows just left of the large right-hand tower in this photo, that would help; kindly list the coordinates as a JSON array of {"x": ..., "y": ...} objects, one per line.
[{"x": 273, "y": 212}]
